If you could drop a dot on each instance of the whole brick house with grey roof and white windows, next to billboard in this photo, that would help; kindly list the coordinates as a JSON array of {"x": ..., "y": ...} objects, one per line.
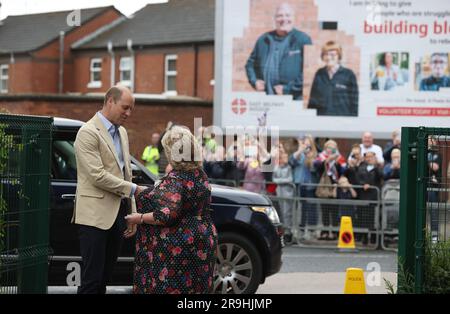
[{"x": 163, "y": 49}]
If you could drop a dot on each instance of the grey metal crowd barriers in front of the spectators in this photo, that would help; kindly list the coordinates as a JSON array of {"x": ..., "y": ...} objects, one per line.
[{"x": 315, "y": 221}]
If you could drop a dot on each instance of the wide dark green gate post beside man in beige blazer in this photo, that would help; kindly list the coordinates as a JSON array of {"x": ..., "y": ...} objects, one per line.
[{"x": 34, "y": 206}]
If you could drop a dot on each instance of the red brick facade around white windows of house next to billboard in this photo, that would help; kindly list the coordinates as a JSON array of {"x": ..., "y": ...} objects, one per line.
[{"x": 149, "y": 70}]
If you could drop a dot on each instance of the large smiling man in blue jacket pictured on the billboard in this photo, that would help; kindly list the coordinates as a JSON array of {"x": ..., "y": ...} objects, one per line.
[{"x": 276, "y": 62}]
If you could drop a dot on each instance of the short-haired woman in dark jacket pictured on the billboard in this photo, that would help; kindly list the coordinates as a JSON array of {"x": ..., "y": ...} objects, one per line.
[{"x": 334, "y": 91}]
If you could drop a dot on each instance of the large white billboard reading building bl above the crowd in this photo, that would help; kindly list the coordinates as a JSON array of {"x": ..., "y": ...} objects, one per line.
[{"x": 332, "y": 68}]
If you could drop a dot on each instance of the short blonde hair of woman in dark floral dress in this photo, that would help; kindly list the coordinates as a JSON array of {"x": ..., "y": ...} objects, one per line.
[{"x": 182, "y": 149}]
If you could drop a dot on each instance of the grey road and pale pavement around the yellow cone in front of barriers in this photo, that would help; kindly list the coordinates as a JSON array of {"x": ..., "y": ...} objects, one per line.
[{"x": 322, "y": 271}]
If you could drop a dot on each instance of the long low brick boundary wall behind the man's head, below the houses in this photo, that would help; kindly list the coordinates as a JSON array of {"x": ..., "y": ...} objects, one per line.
[{"x": 145, "y": 119}]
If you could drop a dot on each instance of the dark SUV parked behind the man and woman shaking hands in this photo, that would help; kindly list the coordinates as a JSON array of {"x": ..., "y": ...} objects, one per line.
[{"x": 250, "y": 244}]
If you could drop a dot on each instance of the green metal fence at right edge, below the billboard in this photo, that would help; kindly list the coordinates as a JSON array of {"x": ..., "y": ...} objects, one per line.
[{"x": 424, "y": 206}]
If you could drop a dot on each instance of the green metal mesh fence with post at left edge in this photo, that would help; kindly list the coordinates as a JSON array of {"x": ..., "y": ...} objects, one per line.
[{"x": 25, "y": 150}]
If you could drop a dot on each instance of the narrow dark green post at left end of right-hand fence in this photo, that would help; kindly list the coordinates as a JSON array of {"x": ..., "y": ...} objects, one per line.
[{"x": 407, "y": 222}]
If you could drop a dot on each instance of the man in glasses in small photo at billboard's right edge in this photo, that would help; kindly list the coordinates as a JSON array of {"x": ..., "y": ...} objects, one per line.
[{"x": 438, "y": 79}]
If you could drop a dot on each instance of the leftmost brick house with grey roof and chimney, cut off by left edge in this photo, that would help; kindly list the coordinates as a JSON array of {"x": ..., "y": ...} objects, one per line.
[{"x": 30, "y": 46}]
